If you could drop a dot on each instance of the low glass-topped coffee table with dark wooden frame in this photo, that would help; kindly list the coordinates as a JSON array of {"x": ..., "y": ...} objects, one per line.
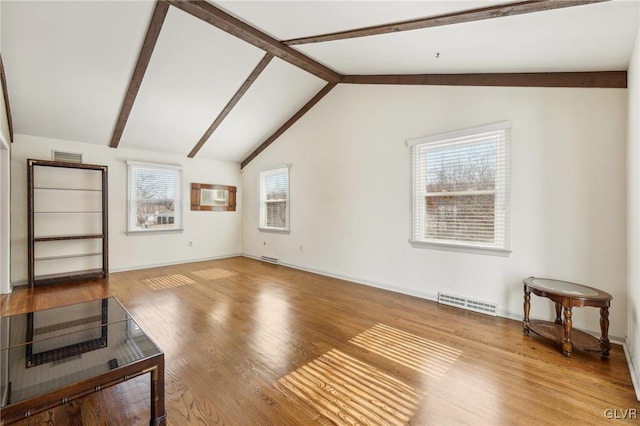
[{"x": 54, "y": 356}]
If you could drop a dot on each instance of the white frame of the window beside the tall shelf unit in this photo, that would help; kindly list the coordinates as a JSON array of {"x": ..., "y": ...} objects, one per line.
[{"x": 177, "y": 201}]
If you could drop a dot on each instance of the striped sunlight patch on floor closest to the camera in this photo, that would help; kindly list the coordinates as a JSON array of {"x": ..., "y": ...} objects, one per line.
[{"x": 350, "y": 392}]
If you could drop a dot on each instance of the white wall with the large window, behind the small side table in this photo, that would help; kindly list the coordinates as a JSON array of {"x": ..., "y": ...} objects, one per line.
[{"x": 350, "y": 192}]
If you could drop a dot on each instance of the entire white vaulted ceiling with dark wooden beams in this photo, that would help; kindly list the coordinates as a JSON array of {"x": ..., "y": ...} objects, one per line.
[{"x": 223, "y": 80}]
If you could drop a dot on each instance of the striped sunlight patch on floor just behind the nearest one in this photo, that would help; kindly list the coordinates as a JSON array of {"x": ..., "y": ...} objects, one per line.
[{"x": 420, "y": 354}]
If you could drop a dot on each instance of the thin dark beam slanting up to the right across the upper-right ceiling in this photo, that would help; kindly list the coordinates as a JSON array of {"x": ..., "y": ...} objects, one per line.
[{"x": 497, "y": 11}]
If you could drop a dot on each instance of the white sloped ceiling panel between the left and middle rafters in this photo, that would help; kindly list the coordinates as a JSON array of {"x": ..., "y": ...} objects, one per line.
[{"x": 194, "y": 71}]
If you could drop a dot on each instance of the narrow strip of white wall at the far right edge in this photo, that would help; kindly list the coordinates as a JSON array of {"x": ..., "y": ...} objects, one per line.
[{"x": 633, "y": 216}]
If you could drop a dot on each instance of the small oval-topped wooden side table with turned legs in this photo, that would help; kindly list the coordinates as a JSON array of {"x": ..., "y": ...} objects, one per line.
[{"x": 566, "y": 296}]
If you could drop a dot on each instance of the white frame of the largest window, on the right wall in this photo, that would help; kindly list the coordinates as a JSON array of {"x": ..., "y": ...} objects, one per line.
[{"x": 419, "y": 147}]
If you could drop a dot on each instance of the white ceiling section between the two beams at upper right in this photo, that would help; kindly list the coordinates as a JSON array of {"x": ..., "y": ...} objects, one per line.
[{"x": 584, "y": 38}]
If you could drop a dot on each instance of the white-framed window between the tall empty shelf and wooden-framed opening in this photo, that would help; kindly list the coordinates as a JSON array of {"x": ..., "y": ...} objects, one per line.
[{"x": 154, "y": 197}]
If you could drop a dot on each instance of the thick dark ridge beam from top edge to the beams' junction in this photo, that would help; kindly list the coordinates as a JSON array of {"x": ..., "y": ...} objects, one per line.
[{"x": 222, "y": 20}]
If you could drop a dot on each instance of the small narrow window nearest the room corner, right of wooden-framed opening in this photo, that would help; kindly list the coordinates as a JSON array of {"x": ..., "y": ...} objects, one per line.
[{"x": 274, "y": 200}]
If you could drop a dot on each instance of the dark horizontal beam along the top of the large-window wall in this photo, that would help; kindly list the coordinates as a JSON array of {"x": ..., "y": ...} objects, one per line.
[{"x": 602, "y": 79}]
